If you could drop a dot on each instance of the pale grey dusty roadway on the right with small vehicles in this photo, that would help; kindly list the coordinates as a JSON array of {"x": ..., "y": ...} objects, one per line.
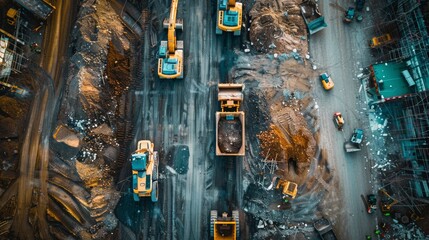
[{"x": 341, "y": 50}]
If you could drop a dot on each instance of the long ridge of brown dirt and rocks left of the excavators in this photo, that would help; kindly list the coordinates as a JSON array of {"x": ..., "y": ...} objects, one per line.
[{"x": 99, "y": 77}]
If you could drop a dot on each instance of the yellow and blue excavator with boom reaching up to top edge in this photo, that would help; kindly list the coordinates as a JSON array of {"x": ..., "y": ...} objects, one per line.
[{"x": 170, "y": 61}]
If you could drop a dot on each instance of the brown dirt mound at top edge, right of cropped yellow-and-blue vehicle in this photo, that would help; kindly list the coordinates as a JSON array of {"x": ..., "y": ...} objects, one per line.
[{"x": 278, "y": 26}]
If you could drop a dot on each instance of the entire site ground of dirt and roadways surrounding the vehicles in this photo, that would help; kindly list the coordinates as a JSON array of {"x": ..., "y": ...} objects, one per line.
[{"x": 108, "y": 97}]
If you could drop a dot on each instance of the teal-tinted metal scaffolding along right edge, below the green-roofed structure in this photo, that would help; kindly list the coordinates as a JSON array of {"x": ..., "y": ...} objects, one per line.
[{"x": 409, "y": 126}]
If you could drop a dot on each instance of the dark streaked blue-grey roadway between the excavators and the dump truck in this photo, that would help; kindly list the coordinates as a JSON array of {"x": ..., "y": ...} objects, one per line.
[{"x": 182, "y": 112}]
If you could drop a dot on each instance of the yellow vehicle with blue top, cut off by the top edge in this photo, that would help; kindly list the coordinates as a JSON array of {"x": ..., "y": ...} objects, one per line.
[{"x": 229, "y": 17}]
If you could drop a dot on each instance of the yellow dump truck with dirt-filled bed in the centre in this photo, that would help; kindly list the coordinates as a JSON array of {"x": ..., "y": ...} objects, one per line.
[{"x": 230, "y": 140}]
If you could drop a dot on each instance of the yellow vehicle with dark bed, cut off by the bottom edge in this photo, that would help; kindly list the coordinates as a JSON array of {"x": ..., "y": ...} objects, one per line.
[{"x": 224, "y": 227}]
